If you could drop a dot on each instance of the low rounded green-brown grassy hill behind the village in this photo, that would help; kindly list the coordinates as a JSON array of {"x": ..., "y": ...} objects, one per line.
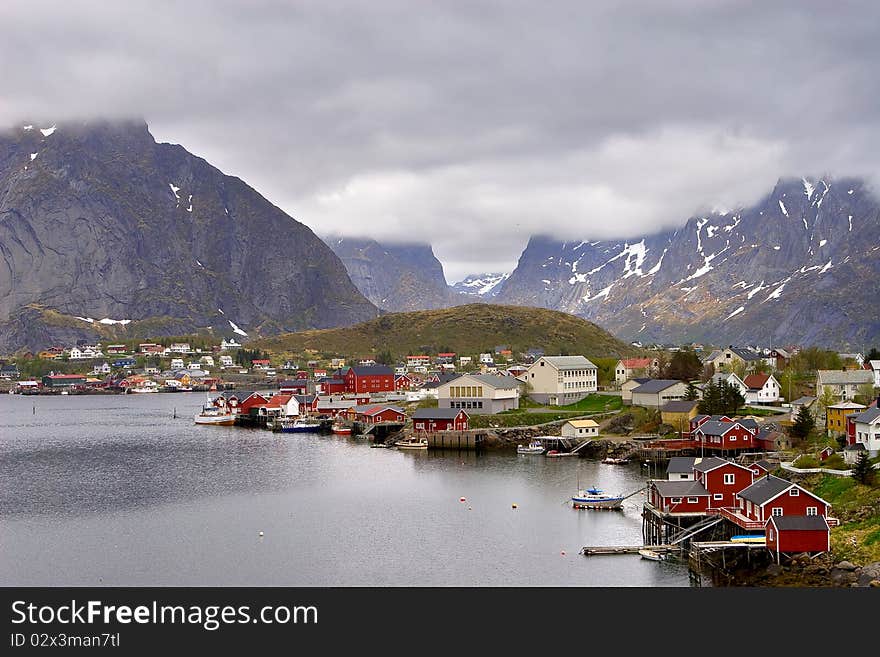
[{"x": 469, "y": 329}]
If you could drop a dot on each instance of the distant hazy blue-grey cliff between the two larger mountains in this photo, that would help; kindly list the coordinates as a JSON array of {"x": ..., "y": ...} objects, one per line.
[{"x": 395, "y": 277}]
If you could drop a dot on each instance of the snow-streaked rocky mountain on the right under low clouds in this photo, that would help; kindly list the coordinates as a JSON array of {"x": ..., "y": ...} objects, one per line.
[{"x": 801, "y": 266}]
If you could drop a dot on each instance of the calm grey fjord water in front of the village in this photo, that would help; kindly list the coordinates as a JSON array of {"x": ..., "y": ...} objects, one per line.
[{"x": 114, "y": 491}]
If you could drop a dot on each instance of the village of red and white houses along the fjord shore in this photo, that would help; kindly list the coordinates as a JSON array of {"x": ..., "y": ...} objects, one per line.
[{"x": 727, "y": 433}]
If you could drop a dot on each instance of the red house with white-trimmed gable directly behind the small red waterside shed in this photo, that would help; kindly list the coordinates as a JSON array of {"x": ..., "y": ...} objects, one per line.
[{"x": 773, "y": 496}]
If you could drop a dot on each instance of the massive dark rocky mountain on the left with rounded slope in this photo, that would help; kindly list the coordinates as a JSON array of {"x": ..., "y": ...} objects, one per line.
[{"x": 100, "y": 222}]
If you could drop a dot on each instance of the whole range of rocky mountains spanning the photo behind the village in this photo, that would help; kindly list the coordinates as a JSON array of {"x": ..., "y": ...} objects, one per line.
[{"x": 105, "y": 233}]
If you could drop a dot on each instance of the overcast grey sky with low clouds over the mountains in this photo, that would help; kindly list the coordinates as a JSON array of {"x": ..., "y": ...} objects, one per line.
[{"x": 471, "y": 125}]
